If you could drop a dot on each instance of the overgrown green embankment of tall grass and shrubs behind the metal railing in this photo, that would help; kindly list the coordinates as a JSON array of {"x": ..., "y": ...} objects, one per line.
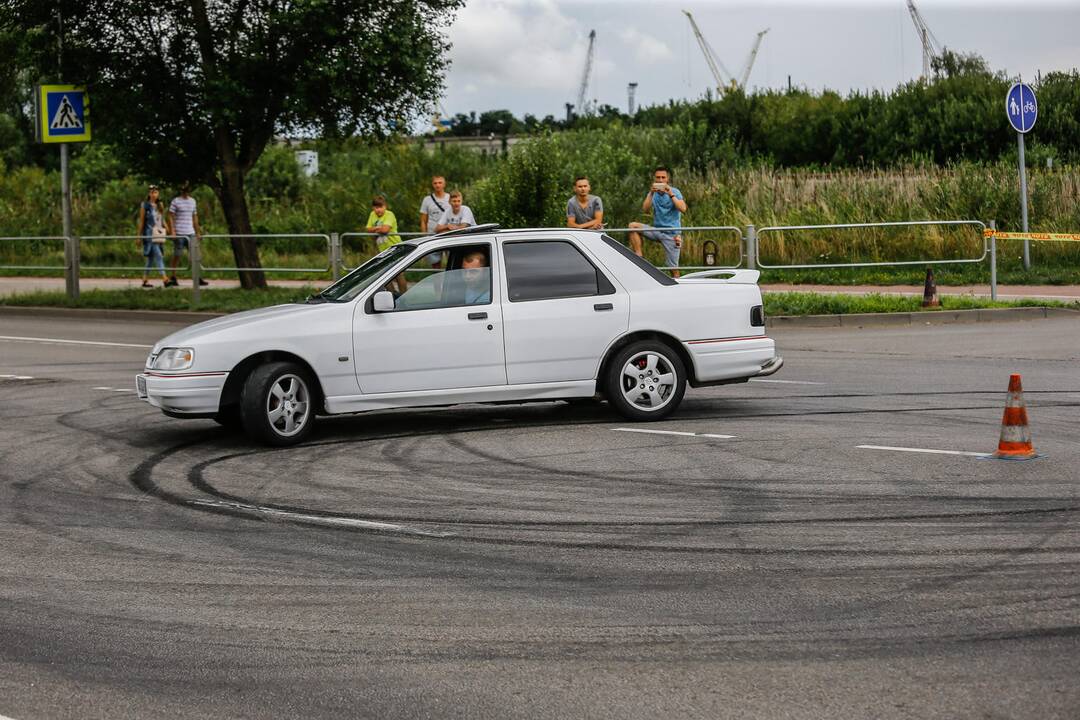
[{"x": 531, "y": 186}]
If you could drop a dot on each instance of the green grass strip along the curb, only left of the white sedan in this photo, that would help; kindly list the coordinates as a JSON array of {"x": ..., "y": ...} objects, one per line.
[{"x": 218, "y": 301}]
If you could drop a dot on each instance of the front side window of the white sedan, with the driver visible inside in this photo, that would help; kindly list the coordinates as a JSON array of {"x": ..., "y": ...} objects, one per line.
[{"x": 463, "y": 277}]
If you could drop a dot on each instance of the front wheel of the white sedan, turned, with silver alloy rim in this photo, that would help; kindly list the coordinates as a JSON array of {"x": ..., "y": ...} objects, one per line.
[{"x": 278, "y": 404}]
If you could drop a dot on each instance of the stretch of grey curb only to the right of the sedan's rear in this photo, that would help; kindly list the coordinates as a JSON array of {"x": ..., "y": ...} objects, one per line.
[{"x": 926, "y": 318}]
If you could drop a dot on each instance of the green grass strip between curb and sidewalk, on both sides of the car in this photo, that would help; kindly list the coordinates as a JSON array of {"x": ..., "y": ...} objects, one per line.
[{"x": 236, "y": 301}]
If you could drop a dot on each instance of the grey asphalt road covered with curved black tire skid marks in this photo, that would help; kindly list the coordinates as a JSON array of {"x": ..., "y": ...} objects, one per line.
[{"x": 542, "y": 562}]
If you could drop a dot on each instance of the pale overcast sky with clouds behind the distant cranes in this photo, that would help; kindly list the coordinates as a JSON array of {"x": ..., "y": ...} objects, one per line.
[{"x": 529, "y": 56}]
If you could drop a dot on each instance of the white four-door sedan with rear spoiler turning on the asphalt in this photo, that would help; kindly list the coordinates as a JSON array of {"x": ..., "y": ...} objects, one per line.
[{"x": 504, "y": 316}]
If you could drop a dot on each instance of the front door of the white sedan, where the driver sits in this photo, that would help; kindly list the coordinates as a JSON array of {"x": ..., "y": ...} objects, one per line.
[{"x": 437, "y": 338}]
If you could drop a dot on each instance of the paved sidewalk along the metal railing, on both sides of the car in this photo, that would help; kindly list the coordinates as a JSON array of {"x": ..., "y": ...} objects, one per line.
[{"x": 1064, "y": 293}]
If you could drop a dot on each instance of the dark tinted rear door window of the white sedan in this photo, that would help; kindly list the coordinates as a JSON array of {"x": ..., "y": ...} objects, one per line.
[{"x": 552, "y": 269}]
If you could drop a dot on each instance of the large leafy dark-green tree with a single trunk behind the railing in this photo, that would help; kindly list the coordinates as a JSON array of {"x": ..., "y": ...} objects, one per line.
[{"x": 195, "y": 90}]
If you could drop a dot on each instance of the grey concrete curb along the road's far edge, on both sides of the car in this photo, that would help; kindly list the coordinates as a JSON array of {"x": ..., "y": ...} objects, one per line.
[{"x": 855, "y": 320}]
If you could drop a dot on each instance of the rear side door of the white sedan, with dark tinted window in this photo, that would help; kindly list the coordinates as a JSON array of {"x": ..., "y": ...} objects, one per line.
[{"x": 561, "y": 311}]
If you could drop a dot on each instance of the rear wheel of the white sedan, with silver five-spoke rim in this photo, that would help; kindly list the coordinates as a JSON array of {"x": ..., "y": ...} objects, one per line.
[{"x": 637, "y": 399}]
